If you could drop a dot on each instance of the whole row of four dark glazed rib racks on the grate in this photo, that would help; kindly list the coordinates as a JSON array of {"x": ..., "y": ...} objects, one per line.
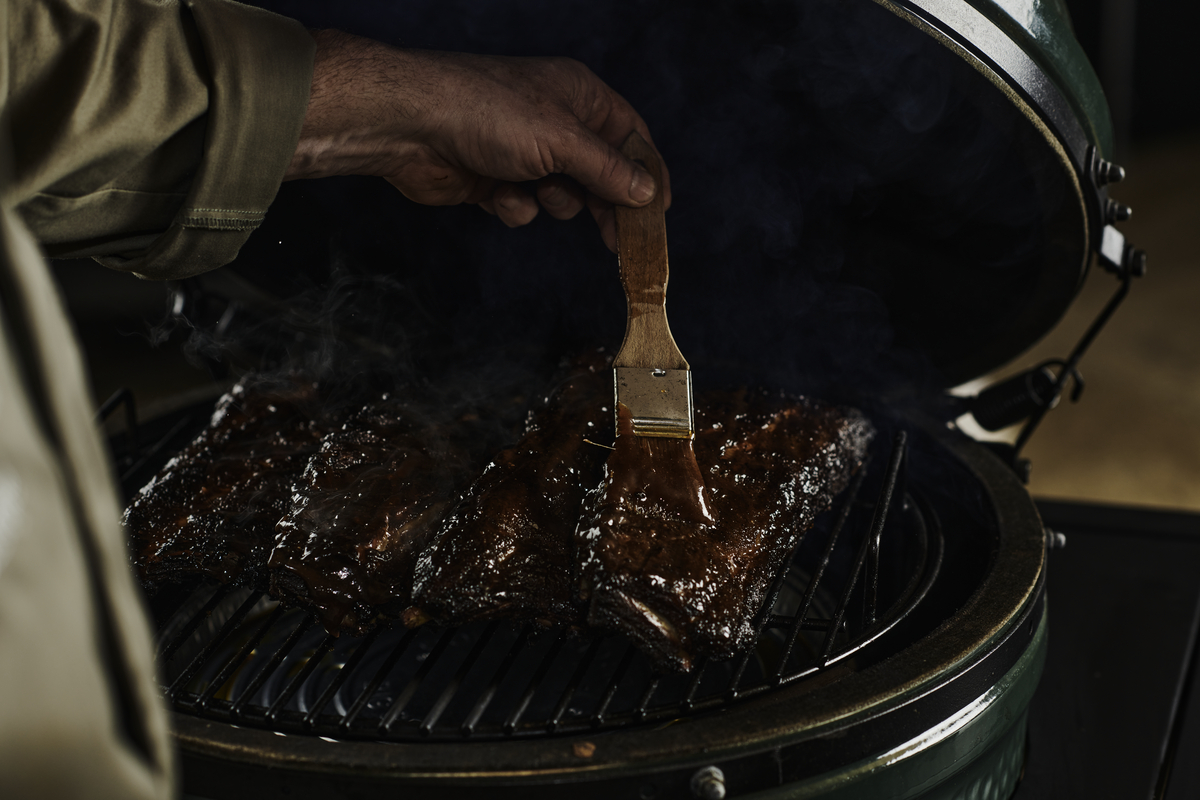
[{"x": 675, "y": 545}]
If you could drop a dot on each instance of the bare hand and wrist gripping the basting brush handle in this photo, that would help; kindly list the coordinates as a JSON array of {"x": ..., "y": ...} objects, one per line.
[{"x": 452, "y": 128}]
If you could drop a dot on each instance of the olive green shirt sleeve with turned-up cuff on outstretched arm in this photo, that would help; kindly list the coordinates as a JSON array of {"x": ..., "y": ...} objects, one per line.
[{"x": 152, "y": 135}]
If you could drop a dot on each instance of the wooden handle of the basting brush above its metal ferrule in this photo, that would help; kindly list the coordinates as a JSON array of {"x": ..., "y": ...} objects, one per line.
[{"x": 643, "y": 255}]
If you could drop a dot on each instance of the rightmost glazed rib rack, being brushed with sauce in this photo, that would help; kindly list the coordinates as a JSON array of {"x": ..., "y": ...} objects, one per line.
[{"x": 679, "y": 551}]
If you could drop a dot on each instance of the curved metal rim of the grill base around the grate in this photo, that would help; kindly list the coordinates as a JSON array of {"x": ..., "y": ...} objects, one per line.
[{"x": 967, "y": 653}]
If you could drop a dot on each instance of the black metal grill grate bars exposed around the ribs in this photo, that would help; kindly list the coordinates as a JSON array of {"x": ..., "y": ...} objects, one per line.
[{"x": 235, "y": 654}]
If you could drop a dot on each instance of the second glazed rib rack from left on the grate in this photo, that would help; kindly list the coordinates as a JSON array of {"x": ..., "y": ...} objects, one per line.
[{"x": 362, "y": 515}]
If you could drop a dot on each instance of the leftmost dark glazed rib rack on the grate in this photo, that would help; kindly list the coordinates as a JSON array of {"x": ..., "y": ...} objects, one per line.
[{"x": 212, "y": 510}]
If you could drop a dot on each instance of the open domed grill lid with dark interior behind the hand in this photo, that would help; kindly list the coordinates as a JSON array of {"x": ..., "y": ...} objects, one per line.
[{"x": 946, "y": 155}]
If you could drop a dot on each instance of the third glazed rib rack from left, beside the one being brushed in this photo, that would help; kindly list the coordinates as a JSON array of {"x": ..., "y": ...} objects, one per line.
[{"x": 507, "y": 549}]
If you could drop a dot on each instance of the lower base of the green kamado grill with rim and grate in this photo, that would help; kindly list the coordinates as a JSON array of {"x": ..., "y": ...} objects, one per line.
[{"x": 854, "y": 659}]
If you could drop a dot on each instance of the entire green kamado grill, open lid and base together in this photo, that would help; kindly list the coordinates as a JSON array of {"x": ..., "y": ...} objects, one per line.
[{"x": 898, "y": 651}]
